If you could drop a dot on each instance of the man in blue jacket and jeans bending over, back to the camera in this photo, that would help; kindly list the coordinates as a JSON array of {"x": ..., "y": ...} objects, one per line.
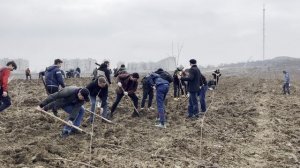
[{"x": 162, "y": 88}]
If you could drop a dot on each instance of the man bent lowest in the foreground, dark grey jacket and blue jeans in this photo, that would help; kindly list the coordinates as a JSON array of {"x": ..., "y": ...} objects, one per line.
[{"x": 71, "y": 100}]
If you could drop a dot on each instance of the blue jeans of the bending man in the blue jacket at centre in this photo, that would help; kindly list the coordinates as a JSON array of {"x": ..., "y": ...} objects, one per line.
[{"x": 161, "y": 93}]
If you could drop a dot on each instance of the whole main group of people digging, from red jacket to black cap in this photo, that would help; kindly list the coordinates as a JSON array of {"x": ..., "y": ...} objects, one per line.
[{"x": 72, "y": 98}]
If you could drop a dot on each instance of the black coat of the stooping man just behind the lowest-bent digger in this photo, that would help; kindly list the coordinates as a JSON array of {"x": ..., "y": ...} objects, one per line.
[{"x": 96, "y": 90}]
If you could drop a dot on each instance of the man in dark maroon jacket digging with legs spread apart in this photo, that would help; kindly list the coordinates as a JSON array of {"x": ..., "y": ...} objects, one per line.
[{"x": 127, "y": 85}]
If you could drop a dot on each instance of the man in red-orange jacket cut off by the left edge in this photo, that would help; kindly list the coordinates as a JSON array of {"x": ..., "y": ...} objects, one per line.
[{"x": 4, "y": 75}]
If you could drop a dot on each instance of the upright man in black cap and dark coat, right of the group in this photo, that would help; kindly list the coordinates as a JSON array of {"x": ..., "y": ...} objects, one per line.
[{"x": 193, "y": 88}]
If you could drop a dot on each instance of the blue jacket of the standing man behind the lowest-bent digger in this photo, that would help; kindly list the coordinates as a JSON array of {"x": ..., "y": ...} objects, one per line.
[{"x": 54, "y": 77}]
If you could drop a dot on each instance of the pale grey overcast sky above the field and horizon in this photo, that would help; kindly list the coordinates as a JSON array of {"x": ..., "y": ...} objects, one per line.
[{"x": 212, "y": 31}]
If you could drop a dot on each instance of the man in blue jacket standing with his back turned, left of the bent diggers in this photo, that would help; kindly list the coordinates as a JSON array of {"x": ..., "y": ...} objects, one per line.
[{"x": 53, "y": 77}]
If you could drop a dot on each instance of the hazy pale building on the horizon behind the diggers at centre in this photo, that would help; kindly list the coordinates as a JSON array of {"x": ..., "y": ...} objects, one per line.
[{"x": 168, "y": 64}]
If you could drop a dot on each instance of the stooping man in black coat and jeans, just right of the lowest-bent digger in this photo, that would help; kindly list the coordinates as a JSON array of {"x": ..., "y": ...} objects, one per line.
[{"x": 98, "y": 87}]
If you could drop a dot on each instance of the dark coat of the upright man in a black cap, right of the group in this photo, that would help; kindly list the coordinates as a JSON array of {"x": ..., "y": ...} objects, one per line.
[{"x": 193, "y": 79}]
